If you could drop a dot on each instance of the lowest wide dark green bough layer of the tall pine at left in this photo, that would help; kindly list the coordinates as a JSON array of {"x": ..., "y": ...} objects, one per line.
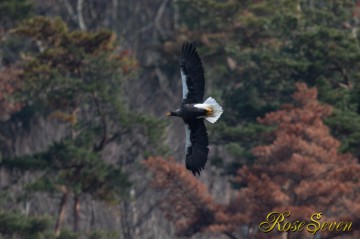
[{"x": 80, "y": 170}]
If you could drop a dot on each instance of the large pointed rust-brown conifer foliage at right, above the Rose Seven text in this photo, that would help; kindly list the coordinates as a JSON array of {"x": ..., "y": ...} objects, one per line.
[{"x": 302, "y": 170}]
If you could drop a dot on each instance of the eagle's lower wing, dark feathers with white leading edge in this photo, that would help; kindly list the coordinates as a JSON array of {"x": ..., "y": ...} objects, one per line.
[{"x": 196, "y": 145}]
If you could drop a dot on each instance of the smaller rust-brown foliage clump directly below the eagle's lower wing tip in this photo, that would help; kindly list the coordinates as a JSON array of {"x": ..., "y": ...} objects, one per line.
[{"x": 187, "y": 202}]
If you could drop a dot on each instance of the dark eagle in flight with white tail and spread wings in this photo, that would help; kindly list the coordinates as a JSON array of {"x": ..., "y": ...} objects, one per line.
[{"x": 193, "y": 111}]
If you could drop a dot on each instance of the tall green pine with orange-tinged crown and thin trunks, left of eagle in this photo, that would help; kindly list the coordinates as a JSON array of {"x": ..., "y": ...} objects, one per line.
[{"x": 75, "y": 79}]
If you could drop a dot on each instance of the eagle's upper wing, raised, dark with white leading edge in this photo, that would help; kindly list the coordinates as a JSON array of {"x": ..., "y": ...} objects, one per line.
[{"x": 192, "y": 75}]
